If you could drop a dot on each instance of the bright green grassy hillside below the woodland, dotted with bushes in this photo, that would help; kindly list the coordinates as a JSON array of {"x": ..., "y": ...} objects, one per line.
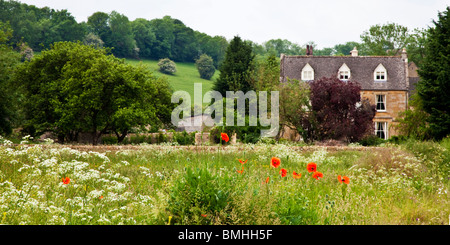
[{"x": 183, "y": 79}]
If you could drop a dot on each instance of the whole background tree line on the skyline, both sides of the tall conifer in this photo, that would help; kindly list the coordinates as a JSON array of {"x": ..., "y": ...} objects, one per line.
[{"x": 171, "y": 38}]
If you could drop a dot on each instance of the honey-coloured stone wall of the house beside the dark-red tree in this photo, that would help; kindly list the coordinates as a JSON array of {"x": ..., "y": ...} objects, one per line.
[{"x": 396, "y": 102}]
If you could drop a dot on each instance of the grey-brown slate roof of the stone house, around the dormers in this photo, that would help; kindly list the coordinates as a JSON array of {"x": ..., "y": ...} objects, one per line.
[{"x": 361, "y": 67}]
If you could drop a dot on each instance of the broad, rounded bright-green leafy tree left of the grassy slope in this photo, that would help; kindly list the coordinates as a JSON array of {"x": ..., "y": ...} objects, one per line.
[{"x": 73, "y": 88}]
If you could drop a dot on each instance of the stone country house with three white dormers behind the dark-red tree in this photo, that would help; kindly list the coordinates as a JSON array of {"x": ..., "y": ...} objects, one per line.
[{"x": 386, "y": 81}]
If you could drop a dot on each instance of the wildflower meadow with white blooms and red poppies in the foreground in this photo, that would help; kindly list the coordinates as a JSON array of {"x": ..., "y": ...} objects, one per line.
[{"x": 248, "y": 184}]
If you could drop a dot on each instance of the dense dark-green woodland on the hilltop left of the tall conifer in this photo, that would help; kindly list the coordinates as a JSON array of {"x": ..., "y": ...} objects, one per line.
[{"x": 140, "y": 38}]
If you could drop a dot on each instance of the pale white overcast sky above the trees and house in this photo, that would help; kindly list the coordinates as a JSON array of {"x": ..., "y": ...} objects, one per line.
[{"x": 326, "y": 22}]
